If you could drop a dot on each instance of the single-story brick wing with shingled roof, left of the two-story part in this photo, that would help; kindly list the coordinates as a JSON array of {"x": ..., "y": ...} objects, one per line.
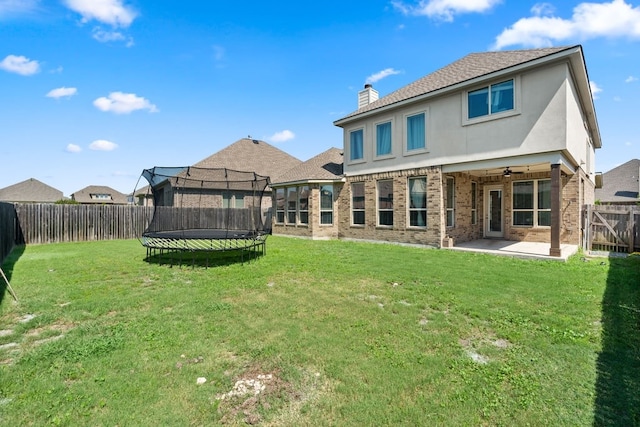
[{"x": 304, "y": 197}]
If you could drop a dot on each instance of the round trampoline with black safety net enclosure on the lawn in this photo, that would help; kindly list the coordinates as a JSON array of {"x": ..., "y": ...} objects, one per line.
[{"x": 204, "y": 210}]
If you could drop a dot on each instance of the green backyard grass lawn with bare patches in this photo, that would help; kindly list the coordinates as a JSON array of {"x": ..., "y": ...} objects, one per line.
[{"x": 318, "y": 333}]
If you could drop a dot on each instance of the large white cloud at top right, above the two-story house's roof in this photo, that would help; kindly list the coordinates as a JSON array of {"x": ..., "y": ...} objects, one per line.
[{"x": 589, "y": 20}]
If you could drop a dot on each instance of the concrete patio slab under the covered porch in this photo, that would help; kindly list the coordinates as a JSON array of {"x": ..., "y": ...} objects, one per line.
[{"x": 527, "y": 250}]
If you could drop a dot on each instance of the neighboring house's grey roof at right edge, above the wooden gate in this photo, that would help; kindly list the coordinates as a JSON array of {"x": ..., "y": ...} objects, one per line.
[{"x": 621, "y": 185}]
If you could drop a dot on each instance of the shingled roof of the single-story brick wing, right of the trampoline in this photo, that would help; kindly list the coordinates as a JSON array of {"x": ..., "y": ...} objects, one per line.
[{"x": 326, "y": 166}]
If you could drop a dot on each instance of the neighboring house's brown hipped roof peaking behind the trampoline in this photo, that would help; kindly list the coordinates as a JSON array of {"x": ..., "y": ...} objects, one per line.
[{"x": 251, "y": 155}]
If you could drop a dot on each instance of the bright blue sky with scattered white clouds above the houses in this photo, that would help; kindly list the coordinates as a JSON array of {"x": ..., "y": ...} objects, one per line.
[{"x": 94, "y": 91}]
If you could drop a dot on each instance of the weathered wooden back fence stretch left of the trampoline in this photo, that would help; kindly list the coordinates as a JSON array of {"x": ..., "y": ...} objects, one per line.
[{"x": 48, "y": 223}]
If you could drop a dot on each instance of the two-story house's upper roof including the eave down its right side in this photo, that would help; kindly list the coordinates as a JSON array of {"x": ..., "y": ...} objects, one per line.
[{"x": 475, "y": 66}]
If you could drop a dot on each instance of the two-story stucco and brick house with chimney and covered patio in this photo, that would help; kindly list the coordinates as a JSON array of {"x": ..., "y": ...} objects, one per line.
[{"x": 494, "y": 145}]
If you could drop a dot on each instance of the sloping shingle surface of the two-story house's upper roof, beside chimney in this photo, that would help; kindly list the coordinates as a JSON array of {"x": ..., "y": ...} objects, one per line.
[{"x": 469, "y": 67}]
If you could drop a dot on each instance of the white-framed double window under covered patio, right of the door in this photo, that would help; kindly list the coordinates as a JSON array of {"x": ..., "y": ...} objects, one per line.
[{"x": 532, "y": 203}]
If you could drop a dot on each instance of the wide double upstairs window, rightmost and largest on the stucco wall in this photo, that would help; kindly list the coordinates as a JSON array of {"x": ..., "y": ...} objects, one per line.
[{"x": 491, "y": 99}]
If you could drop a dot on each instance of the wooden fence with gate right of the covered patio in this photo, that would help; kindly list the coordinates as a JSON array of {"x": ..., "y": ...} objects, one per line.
[{"x": 612, "y": 228}]
